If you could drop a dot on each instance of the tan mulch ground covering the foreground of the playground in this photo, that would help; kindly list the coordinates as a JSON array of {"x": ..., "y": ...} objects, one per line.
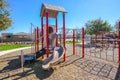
[{"x": 75, "y": 68}]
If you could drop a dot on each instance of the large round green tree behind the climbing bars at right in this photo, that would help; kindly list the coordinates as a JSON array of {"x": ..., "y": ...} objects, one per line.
[{"x": 97, "y": 25}]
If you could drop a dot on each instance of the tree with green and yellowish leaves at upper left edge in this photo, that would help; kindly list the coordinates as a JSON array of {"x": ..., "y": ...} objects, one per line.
[{"x": 5, "y": 20}]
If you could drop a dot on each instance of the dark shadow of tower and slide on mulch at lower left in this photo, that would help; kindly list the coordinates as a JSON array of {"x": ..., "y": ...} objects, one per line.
[{"x": 33, "y": 70}]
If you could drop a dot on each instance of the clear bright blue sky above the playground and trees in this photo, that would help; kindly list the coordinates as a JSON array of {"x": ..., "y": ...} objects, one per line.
[{"x": 25, "y": 12}]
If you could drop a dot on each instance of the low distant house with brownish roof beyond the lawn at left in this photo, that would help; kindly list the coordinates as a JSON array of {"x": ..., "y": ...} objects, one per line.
[{"x": 19, "y": 37}]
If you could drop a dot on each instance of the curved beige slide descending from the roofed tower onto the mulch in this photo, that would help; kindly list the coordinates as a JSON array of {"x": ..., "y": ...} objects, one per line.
[{"x": 54, "y": 58}]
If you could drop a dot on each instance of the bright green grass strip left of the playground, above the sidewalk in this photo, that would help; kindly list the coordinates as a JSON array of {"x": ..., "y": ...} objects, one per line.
[{"x": 12, "y": 46}]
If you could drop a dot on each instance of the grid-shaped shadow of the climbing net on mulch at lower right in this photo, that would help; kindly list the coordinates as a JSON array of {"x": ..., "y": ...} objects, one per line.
[{"x": 98, "y": 68}]
